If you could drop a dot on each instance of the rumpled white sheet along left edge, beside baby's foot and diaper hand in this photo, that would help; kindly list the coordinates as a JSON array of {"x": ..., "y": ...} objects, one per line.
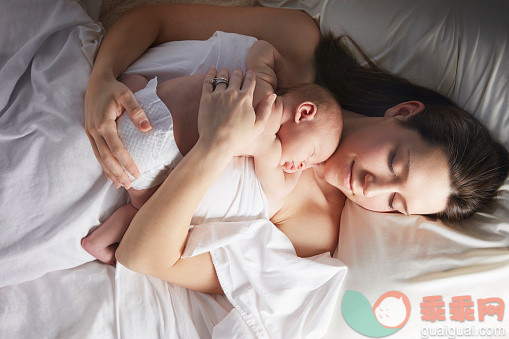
[{"x": 51, "y": 188}]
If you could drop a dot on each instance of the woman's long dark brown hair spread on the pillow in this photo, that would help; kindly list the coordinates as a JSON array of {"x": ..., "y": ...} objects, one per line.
[{"x": 478, "y": 164}]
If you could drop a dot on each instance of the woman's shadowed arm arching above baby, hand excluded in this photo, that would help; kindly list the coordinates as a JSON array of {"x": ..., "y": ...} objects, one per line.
[{"x": 294, "y": 34}]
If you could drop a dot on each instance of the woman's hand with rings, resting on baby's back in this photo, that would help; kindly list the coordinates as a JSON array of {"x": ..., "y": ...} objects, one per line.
[{"x": 226, "y": 116}]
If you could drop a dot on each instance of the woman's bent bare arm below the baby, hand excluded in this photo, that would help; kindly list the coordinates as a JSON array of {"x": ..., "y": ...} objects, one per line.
[{"x": 157, "y": 235}]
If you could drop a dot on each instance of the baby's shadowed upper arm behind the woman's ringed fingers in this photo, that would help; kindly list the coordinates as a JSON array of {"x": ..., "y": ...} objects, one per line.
[{"x": 266, "y": 62}]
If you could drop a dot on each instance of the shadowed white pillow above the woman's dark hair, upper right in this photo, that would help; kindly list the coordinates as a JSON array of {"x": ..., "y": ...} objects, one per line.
[{"x": 460, "y": 48}]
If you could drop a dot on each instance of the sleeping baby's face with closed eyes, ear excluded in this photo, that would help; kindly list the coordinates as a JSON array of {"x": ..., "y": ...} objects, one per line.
[{"x": 306, "y": 144}]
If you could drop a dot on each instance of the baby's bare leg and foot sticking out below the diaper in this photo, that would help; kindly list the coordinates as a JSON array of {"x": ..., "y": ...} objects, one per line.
[{"x": 103, "y": 241}]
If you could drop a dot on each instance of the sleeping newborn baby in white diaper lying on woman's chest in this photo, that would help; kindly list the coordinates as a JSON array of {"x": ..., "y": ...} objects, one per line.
[{"x": 303, "y": 130}]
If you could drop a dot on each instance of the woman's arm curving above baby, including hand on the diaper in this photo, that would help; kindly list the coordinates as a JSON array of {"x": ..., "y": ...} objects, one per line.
[{"x": 293, "y": 33}]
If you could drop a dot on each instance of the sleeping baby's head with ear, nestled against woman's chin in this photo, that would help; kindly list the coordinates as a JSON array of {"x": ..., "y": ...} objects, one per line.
[{"x": 310, "y": 127}]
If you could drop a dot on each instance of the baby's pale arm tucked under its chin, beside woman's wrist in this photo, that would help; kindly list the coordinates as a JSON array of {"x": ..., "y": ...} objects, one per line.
[{"x": 276, "y": 183}]
